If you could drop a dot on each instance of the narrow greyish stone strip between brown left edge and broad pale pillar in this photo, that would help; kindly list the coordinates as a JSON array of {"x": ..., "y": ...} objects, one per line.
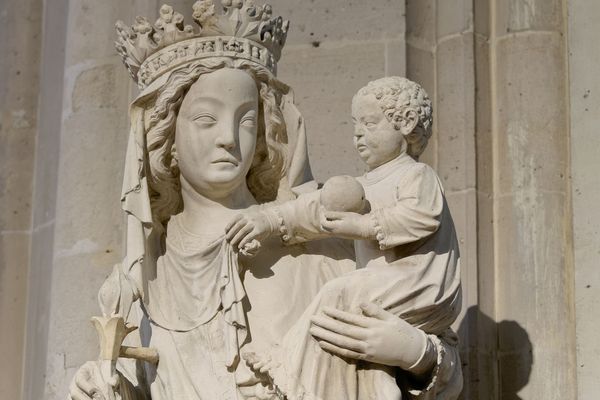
[{"x": 44, "y": 199}]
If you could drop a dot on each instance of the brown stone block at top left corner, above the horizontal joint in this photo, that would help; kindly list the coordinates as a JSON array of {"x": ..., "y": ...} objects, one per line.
[{"x": 18, "y": 111}]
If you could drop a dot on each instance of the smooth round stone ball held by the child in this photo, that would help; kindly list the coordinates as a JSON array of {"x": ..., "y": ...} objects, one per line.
[{"x": 343, "y": 193}]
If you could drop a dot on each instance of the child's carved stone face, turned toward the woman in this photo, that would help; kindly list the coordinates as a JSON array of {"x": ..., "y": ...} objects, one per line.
[{"x": 375, "y": 138}]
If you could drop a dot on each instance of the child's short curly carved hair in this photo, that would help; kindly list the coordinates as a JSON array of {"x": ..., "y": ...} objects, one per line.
[{"x": 394, "y": 94}]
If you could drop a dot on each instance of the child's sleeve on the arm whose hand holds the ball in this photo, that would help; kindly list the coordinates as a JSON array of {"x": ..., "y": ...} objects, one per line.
[{"x": 416, "y": 214}]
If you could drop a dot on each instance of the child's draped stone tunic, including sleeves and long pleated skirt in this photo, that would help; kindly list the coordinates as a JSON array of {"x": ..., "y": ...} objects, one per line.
[{"x": 411, "y": 270}]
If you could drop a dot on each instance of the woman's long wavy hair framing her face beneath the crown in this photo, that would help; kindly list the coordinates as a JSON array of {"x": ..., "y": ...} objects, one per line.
[{"x": 269, "y": 165}]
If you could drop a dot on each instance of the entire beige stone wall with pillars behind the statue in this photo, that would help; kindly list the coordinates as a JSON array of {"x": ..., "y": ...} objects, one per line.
[{"x": 515, "y": 143}]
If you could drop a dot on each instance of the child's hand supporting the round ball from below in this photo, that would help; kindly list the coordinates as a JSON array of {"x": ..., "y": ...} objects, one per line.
[{"x": 348, "y": 225}]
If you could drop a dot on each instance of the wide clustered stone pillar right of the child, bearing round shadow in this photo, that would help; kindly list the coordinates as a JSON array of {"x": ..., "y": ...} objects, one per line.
[{"x": 497, "y": 68}]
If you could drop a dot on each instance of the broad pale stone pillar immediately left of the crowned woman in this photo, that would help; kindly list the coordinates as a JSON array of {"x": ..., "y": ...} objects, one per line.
[{"x": 87, "y": 225}]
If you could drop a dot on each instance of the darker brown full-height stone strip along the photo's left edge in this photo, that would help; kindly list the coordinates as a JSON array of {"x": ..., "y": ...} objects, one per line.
[{"x": 20, "y": 28}]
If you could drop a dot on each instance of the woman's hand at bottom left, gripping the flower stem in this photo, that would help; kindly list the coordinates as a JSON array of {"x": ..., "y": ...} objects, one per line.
[{"x": 89, "y": 384}]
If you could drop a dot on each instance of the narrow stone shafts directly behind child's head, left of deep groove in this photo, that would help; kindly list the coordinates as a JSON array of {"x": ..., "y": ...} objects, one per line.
[{"x": 440, "y": 55}]
